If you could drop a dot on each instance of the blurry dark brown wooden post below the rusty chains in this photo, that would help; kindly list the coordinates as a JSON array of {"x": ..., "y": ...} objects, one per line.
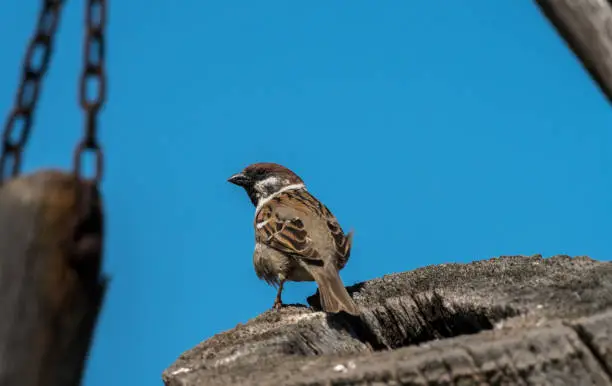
[{"x": 50, "y": 285}]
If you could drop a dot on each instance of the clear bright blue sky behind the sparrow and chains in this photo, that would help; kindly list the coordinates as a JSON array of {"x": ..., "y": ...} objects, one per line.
[{"x": 440, "y": 131}]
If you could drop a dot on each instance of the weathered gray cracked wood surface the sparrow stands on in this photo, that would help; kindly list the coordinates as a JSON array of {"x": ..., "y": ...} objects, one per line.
[{"x": 516, "y": 320}]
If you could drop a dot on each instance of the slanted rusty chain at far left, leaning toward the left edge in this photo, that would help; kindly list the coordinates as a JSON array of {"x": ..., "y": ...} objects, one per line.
[{"x": 19, "y": 123}]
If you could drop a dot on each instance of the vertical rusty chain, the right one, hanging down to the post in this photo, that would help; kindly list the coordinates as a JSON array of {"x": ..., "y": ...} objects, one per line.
[{"x": 92, "y": 87}]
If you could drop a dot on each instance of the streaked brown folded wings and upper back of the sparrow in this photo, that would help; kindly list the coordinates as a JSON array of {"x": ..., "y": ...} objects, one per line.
[{"x": 279, "y": 224}]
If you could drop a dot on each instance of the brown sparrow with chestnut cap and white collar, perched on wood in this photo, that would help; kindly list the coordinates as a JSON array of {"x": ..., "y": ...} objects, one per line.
[{"x": 297, "y": 238}]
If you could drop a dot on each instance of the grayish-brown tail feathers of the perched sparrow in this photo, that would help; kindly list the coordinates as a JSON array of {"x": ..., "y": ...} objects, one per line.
[{"x": 334, "y": 296}]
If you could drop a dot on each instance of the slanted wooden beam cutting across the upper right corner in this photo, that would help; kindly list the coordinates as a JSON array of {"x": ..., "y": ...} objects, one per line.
[{"x": 586, "y": 26}]
